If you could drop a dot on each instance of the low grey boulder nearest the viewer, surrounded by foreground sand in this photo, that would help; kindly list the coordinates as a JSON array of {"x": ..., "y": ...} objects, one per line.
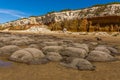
[{"x": 80, "y": 64}]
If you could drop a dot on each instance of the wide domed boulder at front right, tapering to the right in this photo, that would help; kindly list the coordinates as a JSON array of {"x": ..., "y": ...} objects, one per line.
[{"x": 99, "y": 56}]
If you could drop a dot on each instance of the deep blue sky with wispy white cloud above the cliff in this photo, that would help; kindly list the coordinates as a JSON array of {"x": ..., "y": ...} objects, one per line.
[{"x": 15, "y": 9}]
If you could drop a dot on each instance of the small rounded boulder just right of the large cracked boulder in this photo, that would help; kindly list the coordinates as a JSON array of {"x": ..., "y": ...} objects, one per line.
[{"x": 53, "y": 56}]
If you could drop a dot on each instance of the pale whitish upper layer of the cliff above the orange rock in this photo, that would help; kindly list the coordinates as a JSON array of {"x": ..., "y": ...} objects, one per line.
[{"x": 98, "y": 11}]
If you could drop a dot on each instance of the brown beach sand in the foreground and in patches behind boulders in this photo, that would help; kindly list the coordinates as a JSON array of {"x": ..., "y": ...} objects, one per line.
[{"x": 54, "y": 71}]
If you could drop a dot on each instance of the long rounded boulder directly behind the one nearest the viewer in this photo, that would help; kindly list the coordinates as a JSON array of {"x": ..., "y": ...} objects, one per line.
[{"x": 74, "y": 52}]
